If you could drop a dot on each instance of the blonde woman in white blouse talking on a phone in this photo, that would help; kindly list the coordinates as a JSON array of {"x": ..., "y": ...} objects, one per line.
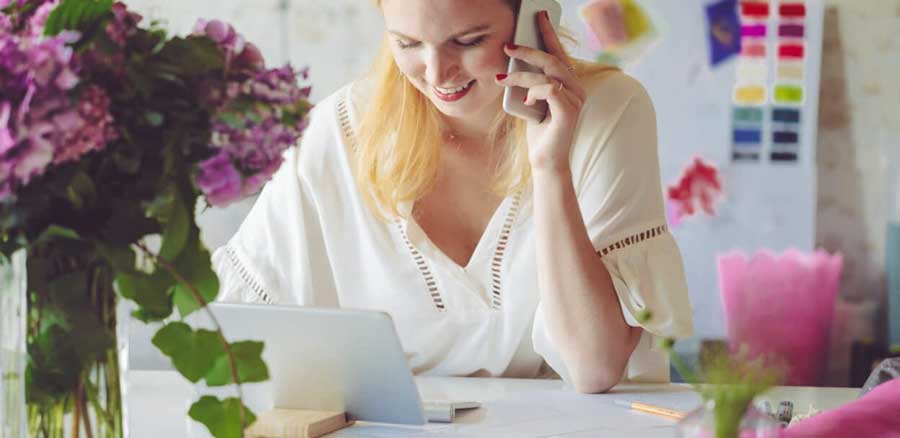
[{"x": 499, "y": 247}]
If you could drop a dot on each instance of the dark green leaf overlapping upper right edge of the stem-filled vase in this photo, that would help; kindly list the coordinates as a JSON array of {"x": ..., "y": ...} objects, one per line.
[{"x": 152, "y": 292}]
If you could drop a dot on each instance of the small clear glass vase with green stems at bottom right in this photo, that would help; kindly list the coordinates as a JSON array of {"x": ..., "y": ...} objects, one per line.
[{"x": 708, "y": 422}]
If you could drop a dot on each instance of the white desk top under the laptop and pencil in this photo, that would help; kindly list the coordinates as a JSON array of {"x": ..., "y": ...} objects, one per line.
[{"x": 158, "y": 402}]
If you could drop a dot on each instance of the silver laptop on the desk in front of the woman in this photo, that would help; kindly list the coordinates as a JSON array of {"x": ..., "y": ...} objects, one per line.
[{"x": 333, "y": 360}]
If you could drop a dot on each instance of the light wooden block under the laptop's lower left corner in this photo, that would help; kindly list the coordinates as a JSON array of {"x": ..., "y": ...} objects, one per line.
[{"x": 296, "y": 423}]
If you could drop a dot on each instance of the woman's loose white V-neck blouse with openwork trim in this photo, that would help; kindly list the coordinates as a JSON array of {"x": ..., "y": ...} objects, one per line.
[{"x": 311, "y": 240}]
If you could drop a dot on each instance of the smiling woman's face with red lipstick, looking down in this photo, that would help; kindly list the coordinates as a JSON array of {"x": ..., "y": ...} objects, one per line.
[{"x": 451, "y": 50}]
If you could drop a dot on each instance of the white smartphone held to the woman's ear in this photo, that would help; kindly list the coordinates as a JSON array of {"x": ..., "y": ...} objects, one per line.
[{"x": 529, "y": 34}]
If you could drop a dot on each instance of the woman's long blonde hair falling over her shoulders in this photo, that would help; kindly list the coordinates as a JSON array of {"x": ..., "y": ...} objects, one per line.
[{"x": 400, "y": 147}]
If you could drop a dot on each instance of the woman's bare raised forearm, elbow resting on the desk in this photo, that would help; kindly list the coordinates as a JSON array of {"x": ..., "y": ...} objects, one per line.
[{"x": 582, "y": 311}]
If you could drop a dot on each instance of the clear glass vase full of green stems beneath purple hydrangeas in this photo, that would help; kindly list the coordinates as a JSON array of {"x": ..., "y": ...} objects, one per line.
[{"x": 74, "y": 344}]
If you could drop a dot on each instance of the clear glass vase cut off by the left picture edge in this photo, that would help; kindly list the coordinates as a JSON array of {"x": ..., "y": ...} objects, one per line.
[{"x": 12, "y": 346}]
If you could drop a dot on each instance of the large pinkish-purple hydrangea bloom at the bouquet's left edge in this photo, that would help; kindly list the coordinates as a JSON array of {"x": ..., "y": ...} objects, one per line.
[{"x": 43, "y": 123}]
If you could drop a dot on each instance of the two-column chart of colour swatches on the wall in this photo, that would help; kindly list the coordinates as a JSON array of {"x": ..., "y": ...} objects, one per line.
[{"x": 769, "y": 88}]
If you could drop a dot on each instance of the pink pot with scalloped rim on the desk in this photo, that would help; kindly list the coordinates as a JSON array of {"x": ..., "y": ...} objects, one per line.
[{"x": 782, "y": 306}]
